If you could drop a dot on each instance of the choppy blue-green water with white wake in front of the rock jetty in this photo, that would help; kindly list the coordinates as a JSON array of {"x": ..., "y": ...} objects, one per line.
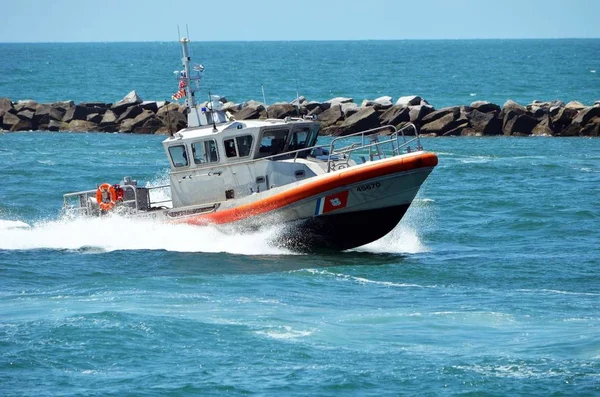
[{"x": 490, "y": 286}]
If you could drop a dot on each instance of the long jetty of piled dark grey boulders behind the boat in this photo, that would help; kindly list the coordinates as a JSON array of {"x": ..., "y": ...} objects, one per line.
[{"x": 338, "y": 116}]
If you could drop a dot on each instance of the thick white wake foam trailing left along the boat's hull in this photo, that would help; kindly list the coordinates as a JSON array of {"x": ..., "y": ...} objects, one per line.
[{"x": 114, "y": 232}]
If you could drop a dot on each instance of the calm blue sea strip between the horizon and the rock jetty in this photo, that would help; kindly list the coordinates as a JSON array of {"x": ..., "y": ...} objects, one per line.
[{"x": 445, "y": 72}]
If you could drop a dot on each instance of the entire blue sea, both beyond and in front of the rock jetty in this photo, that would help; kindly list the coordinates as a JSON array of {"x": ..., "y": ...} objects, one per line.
[{"x": 490, "y": 285}]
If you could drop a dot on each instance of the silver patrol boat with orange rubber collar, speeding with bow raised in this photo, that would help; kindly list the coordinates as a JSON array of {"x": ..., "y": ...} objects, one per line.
[{"x": 248, "y": 174}]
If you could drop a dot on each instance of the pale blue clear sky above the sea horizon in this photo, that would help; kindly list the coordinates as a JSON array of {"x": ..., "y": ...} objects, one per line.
[{"x": 225, "y": 20}]
